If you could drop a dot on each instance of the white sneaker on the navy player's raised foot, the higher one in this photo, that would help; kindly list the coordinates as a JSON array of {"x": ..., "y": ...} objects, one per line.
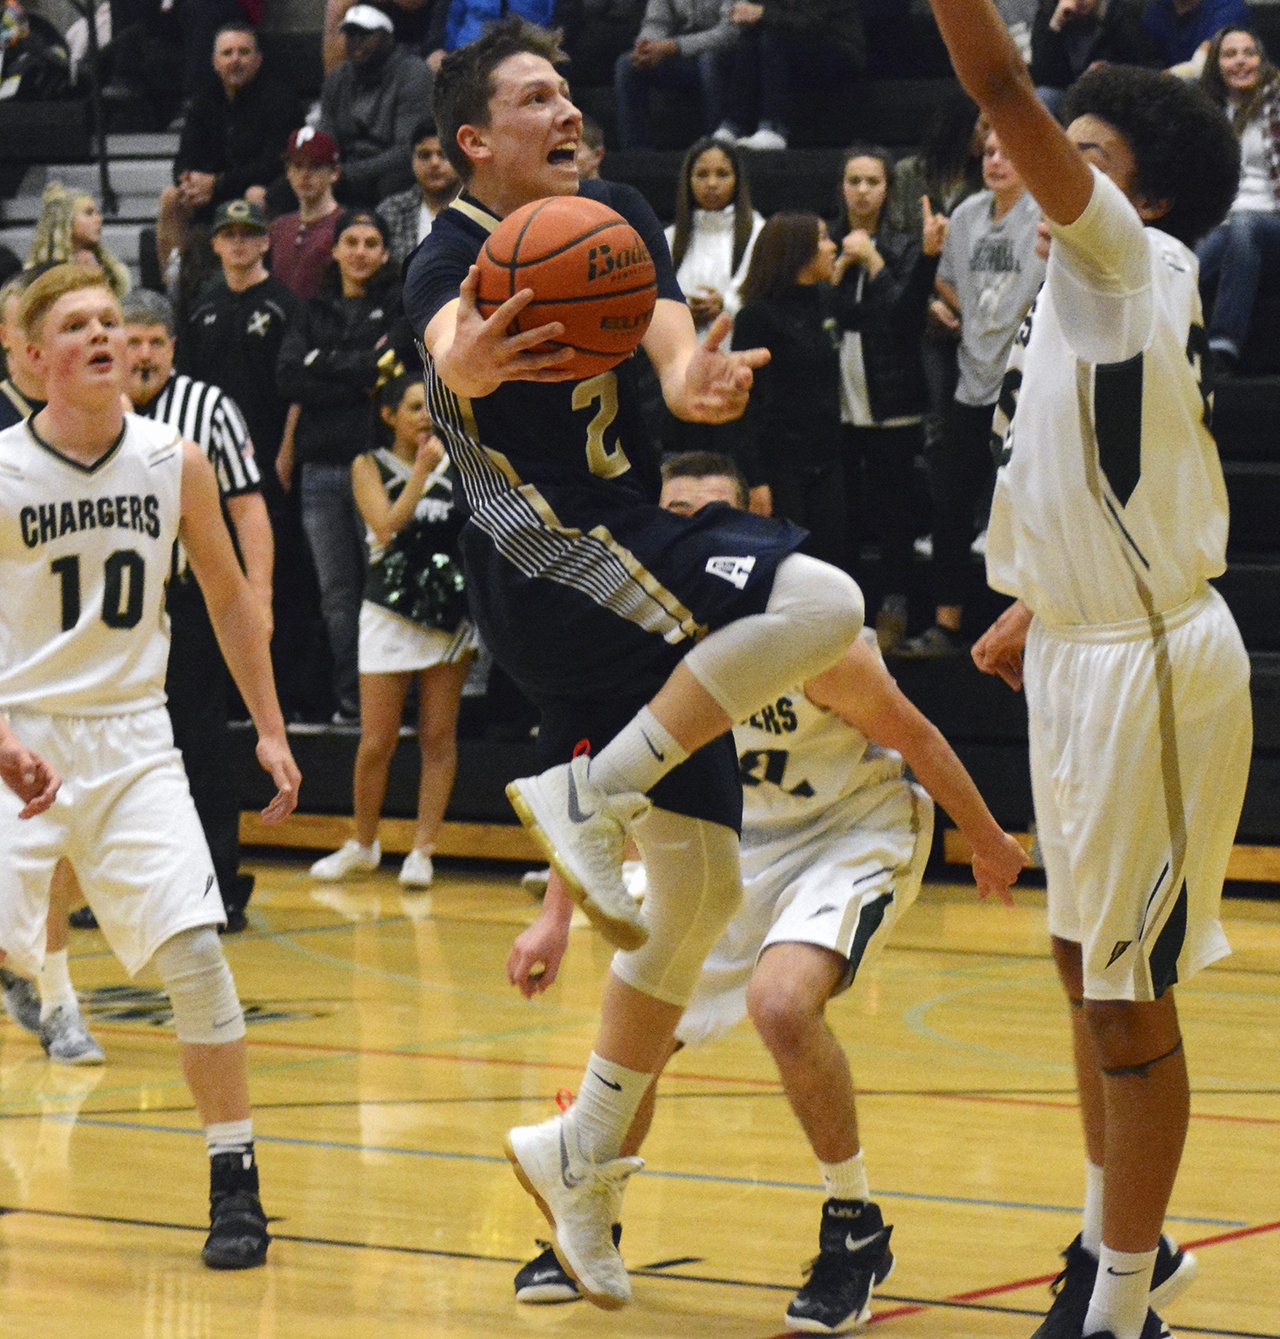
[{"x": 583, "y": 832}]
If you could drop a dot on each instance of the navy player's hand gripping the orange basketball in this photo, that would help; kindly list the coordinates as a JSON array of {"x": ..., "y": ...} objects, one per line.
[{"x": 484, "y": 354}]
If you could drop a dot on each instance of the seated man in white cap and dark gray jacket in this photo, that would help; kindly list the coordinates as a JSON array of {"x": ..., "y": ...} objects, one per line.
[{"x": 372, "y": 104}]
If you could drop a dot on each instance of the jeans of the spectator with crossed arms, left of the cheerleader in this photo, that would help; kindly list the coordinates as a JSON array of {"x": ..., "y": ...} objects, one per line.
[{"x": 337, "y": 543}]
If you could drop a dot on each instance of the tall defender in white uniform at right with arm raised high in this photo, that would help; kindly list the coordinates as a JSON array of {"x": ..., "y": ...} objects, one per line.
[{"x": 1108, "y": 523}]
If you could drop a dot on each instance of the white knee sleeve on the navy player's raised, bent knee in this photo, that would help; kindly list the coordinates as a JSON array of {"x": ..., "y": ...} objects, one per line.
[{"x": 813, "y": 615}]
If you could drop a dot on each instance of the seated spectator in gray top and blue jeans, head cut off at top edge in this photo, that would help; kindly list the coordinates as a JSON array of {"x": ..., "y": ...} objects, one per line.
[{"x": 682, "y": 46}]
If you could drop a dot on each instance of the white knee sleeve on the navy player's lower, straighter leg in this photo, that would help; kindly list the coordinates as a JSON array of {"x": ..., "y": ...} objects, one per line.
[{"x": 694, "y": 890}]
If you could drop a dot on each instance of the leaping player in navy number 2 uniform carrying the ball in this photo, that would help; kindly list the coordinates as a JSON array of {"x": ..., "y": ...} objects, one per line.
[{"x": 645, "y": 634}]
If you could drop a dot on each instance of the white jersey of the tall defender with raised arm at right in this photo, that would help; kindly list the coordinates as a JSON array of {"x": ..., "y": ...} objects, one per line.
[{"x": 1111, "y": 504}]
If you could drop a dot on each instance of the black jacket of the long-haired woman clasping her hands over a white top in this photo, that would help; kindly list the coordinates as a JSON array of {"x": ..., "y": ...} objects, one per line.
[{"x": 890, "y": 318}]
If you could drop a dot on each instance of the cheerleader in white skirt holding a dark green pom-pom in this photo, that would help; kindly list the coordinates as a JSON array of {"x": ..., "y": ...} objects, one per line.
[{"x": 413, "y": 625}]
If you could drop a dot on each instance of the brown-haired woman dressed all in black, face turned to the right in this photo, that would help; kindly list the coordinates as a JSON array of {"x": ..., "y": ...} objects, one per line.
[{"x": 791, "y": 436}]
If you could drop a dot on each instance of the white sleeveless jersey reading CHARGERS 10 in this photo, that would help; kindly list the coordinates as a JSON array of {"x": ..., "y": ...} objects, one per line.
[{"x": 85, "y": 554}]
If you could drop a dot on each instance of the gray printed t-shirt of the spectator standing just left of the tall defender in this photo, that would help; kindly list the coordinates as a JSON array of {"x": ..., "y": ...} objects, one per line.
[{"x": 997, "y": 275}]
